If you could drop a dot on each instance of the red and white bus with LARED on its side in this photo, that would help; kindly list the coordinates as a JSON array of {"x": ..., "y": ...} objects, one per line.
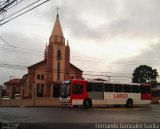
[{"x": 89, "y": 92}]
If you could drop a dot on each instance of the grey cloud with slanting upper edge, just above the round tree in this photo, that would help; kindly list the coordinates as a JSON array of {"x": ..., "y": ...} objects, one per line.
[{"x": 148, "y": 57}]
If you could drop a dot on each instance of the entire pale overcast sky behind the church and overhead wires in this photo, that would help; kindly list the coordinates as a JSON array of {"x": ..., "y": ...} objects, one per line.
[{"x": 106, "y": 37}]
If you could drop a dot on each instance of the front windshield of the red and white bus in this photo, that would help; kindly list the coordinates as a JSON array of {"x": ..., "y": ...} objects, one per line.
[{"x": 65, "y": 90}]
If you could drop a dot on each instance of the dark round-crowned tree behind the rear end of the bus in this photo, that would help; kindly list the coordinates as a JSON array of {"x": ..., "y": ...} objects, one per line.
[{"x": 145, "y": 74}]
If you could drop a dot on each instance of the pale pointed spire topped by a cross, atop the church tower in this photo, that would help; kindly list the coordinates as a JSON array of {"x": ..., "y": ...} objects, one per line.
[{"x": 57, "y": 33}]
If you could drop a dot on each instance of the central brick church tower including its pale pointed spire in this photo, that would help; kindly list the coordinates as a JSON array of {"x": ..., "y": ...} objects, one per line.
[{"x": 56, "y": 62}]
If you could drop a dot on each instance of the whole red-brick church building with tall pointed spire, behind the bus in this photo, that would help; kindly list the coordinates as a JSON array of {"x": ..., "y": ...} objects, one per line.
[{"x": 44, "y": 78}]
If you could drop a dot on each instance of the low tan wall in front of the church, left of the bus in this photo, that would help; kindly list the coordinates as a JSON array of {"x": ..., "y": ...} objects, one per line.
[{"x": 30, "y": 102}]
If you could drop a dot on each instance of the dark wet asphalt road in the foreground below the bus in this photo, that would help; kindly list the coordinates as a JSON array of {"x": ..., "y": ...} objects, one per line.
[{"x": 60, "y": 117}]
